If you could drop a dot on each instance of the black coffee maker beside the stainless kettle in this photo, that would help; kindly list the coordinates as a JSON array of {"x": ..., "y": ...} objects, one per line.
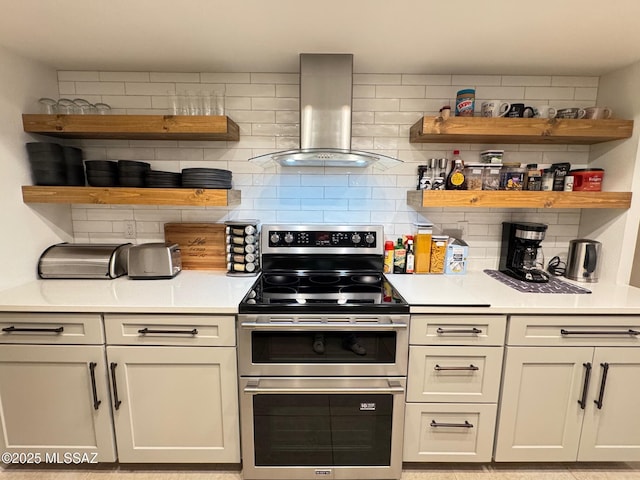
[{"x": 520, "y": 253}]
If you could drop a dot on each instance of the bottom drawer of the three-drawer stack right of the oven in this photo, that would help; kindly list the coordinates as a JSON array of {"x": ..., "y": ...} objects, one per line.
[{"x": 449, "y": 432}]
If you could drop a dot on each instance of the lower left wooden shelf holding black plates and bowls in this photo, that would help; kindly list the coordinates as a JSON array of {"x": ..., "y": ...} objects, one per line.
[{"x": 131, "y": 196}]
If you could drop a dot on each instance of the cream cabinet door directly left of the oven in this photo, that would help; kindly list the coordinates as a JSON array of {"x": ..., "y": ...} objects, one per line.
[{"x": 178, "y": 404}]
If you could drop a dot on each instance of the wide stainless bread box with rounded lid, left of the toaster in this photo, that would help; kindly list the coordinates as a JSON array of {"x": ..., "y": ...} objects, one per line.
[{"x": 84, "y": 260}]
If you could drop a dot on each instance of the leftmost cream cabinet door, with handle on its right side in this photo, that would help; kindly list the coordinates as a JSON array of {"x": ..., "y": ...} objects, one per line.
[{"x": 47, "y": 401}]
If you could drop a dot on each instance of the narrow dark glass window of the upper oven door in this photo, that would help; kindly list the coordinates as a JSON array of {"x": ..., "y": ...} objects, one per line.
[{"x": 320, "y": 347}]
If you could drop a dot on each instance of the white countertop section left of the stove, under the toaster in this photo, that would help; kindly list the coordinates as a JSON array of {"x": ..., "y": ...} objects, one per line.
[{"x": 189, "y": 292}]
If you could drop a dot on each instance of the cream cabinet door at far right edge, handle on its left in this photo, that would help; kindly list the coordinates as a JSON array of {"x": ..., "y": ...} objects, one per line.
[{"x": 612, "y": 432}]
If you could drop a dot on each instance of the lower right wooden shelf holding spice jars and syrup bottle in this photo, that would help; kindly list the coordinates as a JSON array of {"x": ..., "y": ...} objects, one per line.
[{"x": 517, "y": 199}]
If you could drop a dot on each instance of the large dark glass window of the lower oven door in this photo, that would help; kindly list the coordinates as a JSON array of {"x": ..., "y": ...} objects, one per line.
[{"x": 330, "y": 430}]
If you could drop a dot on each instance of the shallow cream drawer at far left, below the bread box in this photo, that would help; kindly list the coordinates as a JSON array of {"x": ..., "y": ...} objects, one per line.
[{"x": 51, "y": 328}]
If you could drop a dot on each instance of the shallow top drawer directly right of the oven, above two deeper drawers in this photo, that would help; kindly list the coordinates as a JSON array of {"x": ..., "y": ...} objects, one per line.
[{"x": 457, "y": 329}]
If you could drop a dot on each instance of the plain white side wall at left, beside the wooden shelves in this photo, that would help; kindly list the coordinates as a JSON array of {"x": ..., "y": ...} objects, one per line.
[{"x": 26, "y": 232}]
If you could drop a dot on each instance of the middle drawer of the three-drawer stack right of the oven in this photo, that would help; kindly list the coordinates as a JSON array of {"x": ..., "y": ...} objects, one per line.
[{"x": 454, "y": 374}]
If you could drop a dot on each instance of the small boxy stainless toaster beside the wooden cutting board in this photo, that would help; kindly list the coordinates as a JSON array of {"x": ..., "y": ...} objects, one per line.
[{"x": 154, "y": 260}]
